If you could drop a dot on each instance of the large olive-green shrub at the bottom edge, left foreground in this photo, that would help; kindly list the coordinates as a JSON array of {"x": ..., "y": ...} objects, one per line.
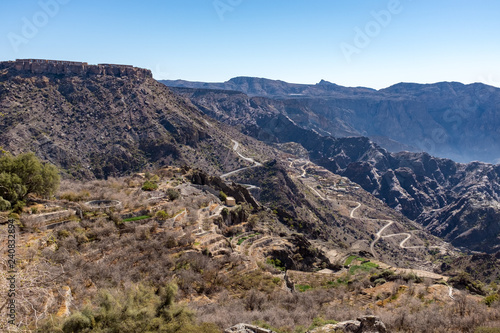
[{"x": 137, "y": 309}]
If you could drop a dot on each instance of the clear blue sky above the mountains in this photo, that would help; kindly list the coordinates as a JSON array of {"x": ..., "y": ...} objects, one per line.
[{"x": 355, "y": 43}]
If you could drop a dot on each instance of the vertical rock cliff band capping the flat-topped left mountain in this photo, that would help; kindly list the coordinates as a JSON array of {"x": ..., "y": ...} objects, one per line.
[{"x": 56, "y": 67}]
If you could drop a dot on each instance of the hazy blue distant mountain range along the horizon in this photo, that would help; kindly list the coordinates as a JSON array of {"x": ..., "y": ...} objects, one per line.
[{"x": 446, "y": 119}]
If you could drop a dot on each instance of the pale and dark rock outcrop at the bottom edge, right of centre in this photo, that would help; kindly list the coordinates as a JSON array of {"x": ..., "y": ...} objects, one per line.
[{"x": 364, "y": 324}]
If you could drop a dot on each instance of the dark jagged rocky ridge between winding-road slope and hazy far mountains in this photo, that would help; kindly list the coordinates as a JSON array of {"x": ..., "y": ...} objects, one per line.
[{"x": 430, "y": 190}]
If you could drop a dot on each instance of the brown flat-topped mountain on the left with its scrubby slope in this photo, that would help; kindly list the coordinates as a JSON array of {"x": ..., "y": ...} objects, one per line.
[{"x": 109, "y": 123}]
